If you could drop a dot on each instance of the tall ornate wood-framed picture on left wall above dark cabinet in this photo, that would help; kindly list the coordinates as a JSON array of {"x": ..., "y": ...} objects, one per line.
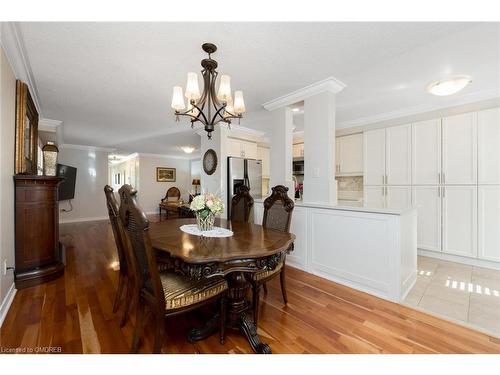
[{"x": 26, "y": 150}]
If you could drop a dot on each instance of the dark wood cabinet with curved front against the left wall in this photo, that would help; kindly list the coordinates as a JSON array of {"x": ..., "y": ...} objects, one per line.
[{"x": 39, "y": 255}]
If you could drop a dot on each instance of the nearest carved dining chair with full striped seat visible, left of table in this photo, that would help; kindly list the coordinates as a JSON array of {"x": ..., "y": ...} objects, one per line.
[{"x": 162, "y": 293}]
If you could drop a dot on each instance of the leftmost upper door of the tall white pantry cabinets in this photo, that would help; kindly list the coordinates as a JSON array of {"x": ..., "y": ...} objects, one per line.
[{"x": 374, "y": 157}]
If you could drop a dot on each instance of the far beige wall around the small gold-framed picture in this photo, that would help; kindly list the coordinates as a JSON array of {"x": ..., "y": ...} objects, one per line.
[{"x": 151, "y": 192}]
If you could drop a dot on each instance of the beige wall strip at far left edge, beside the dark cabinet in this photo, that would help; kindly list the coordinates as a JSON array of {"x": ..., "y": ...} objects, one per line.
[{"x": 7, "y": 135}]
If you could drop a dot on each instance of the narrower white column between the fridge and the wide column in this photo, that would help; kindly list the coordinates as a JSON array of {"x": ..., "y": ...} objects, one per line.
[{"x": 281, "y": 135}]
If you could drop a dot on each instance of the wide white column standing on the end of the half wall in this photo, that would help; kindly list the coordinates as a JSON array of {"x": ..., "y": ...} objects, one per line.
[{"x": 319, "y": 149}]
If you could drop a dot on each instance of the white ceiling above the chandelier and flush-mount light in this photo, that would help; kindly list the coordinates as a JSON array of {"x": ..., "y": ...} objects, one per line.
[{"x": 110, "y": 83}]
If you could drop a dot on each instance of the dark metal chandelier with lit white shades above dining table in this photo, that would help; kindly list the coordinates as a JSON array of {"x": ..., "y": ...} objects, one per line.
[{"x": 212, "y": 106}]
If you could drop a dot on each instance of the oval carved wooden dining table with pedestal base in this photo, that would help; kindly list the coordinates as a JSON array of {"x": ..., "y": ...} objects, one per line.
[{"x": 250, "y": 249}]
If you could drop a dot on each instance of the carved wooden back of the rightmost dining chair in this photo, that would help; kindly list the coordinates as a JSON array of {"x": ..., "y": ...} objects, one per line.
[{"x": 278, "y": 208}]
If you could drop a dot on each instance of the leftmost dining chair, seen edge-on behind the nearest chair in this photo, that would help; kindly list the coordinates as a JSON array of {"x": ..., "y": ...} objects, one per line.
[{"x": 125, "y": 274}]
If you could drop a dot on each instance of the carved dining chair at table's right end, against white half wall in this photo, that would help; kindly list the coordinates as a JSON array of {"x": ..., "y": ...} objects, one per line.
[{"x": 278, "y": 208}]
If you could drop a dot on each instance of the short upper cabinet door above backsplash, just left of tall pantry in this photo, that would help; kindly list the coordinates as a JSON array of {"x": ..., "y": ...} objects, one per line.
[{"x": 351, "y": 154}]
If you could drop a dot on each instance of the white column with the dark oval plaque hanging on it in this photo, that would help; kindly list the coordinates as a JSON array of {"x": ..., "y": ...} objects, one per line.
[{"x": 217, "y": 182}]
